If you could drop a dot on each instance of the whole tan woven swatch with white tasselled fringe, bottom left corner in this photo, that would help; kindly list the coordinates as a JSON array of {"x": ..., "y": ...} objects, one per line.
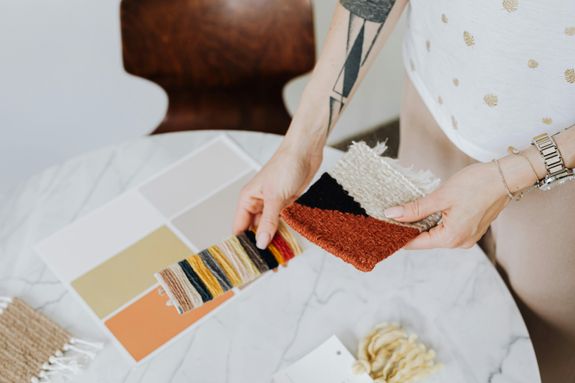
[{"x": 34, "y": 349}]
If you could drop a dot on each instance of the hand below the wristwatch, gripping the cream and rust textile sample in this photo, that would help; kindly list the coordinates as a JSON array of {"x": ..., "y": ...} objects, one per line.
[{"x": 468, "y": 201}]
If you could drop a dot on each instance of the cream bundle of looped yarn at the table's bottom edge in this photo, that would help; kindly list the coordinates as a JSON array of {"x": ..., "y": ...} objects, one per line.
[{"x": 390, "y": 355}]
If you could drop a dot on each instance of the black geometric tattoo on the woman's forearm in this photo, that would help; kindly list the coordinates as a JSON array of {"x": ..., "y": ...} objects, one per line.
[{"x": 366, "y": 19}]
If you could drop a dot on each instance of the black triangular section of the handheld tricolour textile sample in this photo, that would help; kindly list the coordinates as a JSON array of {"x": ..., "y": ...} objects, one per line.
[{"x": 327, "y": 194}]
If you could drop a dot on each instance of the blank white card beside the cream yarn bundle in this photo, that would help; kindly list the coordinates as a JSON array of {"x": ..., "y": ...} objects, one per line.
[{"x": 329, "y": 363}]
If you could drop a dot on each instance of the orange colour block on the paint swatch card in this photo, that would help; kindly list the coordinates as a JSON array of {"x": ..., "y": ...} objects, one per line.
[{"x": 148, "y": 323}]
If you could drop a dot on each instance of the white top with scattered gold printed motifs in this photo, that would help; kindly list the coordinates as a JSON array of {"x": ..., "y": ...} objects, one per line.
[{"x": 495, "y": 73}]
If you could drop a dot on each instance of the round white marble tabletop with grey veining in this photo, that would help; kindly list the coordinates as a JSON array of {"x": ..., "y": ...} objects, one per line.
[{"x": 453, "y": 299}]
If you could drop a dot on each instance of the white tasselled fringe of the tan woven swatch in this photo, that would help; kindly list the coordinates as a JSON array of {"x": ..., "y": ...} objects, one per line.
[{"x": 74, "y": 357}]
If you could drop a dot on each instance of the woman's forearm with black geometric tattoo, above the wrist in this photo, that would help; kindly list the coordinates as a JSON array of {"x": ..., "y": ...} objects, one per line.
[{"x": 353, "y": 41}]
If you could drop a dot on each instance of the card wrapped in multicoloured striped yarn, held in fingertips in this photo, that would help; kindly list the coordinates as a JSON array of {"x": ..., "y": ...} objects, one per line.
[{"x": 233, "y": 263}]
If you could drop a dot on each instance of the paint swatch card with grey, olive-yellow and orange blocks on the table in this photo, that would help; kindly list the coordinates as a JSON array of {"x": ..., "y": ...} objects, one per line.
[{"x": 109, "y": 257}]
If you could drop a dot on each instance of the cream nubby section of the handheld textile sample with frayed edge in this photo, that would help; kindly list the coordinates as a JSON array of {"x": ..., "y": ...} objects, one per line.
[{"x": 378, "y": 183}]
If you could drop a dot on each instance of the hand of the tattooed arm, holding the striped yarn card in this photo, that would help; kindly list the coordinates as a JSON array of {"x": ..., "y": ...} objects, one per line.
[{"x": 282, "y": 179}]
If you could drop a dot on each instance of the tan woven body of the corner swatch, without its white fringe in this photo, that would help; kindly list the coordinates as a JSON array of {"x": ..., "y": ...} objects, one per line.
[{"x": 27, "y": 341}]
